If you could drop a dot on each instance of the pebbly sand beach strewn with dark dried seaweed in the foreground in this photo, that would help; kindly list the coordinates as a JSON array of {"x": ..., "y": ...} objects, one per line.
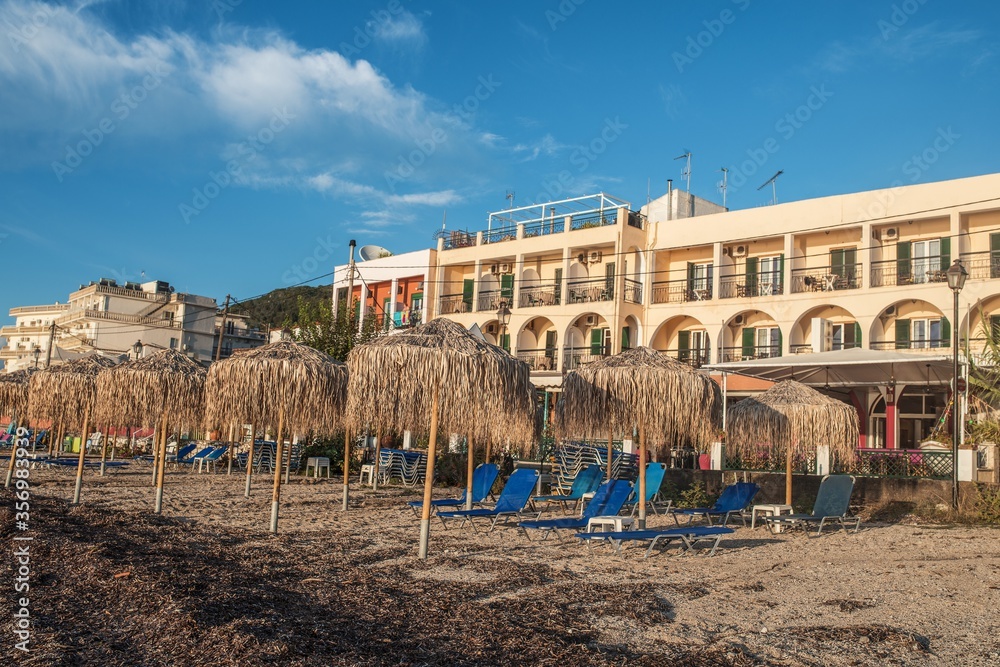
[{"x": 205, "y": 584}]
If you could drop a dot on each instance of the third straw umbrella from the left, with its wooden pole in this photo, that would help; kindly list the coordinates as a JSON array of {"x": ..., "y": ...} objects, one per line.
[{"x": 153, "y": 391}]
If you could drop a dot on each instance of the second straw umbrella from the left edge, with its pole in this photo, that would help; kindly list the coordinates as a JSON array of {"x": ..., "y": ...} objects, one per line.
[{"x": 67, "y": 394}]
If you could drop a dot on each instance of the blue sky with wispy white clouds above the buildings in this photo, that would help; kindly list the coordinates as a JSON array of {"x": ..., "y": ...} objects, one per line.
[{"x": 235, "y": 146}]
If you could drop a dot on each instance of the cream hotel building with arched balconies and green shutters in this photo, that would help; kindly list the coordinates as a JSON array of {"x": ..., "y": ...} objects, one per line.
[{"x": 590, "y": 276}]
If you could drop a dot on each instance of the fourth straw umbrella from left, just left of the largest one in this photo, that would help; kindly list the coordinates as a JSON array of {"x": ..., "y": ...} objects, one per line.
[{"x": 292, "y": 385}]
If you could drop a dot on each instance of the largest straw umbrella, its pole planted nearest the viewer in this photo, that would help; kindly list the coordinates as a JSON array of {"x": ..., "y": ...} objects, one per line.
[{"x": 439, "y": 376}]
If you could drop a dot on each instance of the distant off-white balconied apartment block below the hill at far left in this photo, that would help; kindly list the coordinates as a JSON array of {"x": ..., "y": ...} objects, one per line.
[{"x": 111, "y": 318}]
